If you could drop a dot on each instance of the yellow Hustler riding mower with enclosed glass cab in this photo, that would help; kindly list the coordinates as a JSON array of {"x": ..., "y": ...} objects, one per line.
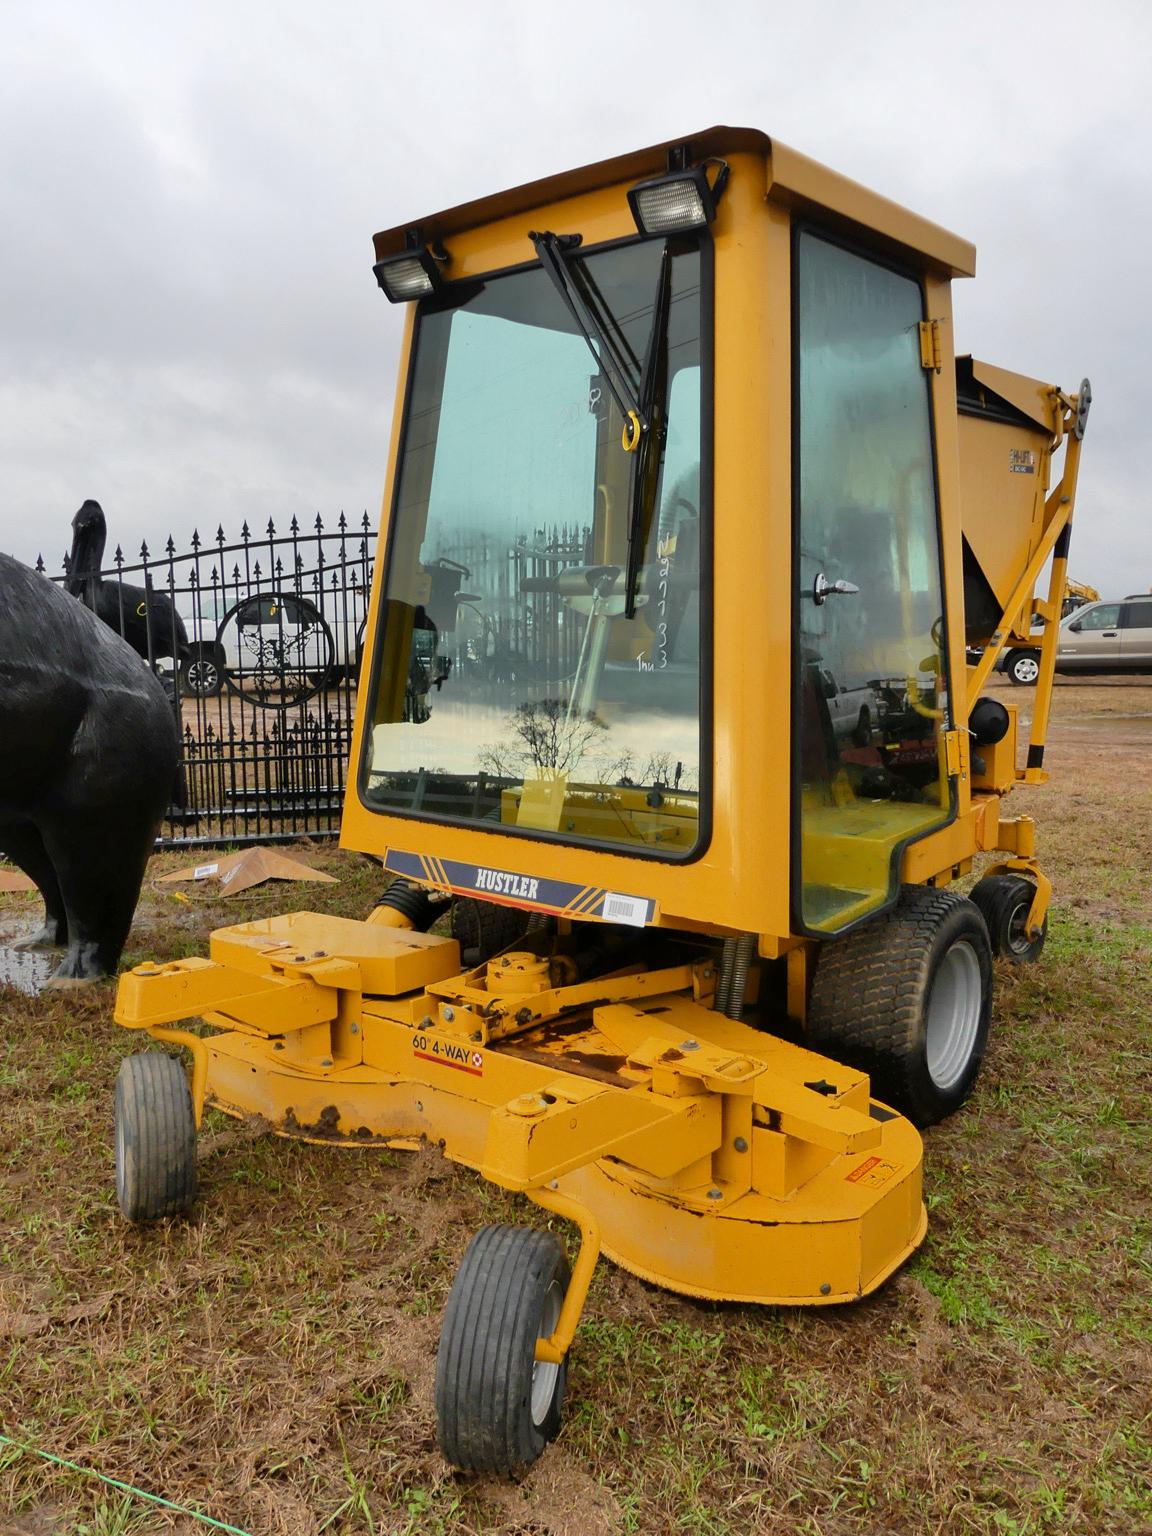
[{"x": 667, "y": 738}]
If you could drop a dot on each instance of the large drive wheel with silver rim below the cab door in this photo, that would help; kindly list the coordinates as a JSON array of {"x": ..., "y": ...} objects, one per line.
[{"x": 907, "y": 998}]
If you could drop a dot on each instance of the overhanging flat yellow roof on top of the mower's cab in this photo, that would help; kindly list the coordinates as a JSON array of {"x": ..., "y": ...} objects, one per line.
[{"x": 792, "y": 179}]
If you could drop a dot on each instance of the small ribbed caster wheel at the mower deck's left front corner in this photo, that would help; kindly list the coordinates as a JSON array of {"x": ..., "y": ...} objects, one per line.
[{"x": 156, "y": 1139}]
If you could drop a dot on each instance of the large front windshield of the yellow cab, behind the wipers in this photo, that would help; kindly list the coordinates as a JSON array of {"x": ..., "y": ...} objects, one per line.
[{"x": 520, "y": 681}]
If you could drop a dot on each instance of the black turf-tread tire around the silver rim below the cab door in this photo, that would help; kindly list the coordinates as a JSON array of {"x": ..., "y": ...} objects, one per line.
[{"x": 870, "y": 999}]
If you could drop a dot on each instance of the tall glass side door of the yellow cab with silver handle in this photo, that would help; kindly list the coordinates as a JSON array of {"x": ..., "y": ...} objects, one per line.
[{"x": 870, "y": 687}]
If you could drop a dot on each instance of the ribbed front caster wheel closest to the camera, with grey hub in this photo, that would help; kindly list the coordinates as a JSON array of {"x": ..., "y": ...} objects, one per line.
[{"x": 497, "y": 1405}]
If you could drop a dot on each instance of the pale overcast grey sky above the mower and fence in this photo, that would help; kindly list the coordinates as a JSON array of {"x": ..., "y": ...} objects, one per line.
[{"x": 190, "y": 328}]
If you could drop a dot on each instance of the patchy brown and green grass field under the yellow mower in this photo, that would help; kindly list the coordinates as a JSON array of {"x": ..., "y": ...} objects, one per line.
[{"x": 271, "y": 1360}]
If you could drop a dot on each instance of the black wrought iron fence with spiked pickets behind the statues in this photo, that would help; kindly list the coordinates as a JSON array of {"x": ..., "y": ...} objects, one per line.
[{"x": 259, "y": 643}]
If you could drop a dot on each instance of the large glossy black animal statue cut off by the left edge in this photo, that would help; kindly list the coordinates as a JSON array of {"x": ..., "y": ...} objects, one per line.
[{"x": 88, "y": 760}]
